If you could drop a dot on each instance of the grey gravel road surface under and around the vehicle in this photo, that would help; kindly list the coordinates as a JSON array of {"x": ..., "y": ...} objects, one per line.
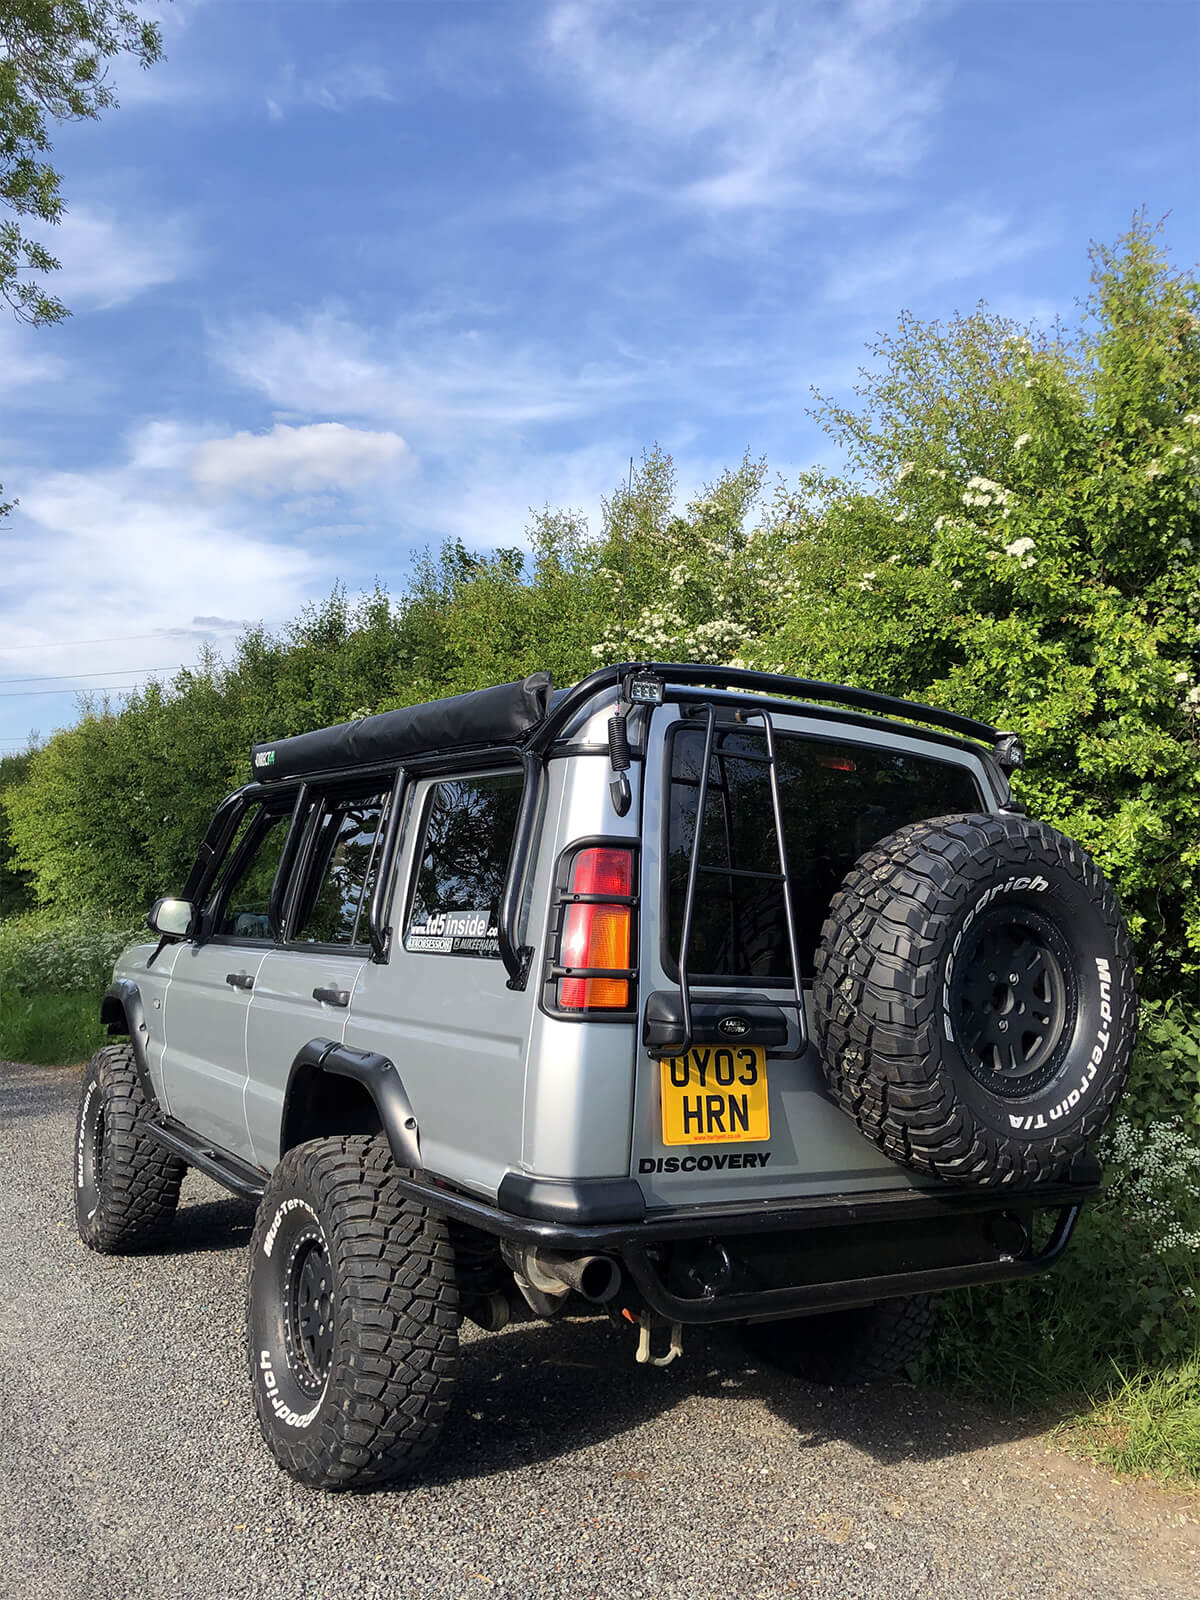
[{"x": 130, "y": 1462}]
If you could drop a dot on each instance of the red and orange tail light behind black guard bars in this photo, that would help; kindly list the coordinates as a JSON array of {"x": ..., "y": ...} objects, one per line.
[{"x": 598, "y": 932}]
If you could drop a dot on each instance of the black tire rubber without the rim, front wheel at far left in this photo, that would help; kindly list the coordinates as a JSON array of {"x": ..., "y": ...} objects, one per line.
[{"x": 140, "y": 1183}]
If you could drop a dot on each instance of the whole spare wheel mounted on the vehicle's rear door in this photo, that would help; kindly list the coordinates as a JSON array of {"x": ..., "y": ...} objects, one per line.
[{"x": 974, "y": 999}]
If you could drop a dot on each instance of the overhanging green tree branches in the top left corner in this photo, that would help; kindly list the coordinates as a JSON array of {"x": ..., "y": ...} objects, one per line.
[{"x": 54, "y": 58}]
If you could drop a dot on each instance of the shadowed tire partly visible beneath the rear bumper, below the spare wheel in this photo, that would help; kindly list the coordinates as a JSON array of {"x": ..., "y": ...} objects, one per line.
[{"x": 858, "y": 1346}]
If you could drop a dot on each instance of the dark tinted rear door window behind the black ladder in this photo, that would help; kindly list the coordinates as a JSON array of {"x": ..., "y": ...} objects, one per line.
[{"x": 838, "y": 801}]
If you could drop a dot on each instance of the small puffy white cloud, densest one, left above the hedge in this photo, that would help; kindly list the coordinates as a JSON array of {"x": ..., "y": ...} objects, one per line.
[{"x": 319, "y": 455}]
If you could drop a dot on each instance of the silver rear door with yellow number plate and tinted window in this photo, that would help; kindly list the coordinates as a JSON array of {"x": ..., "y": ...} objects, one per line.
[{"x": 737, "y": 1121}]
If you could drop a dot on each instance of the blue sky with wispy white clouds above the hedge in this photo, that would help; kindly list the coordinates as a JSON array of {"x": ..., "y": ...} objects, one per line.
[{"x": 356, "y": 276}]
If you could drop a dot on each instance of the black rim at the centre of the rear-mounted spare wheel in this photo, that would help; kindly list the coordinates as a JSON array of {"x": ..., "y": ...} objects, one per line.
[{"x": 1014, "y": 1001}]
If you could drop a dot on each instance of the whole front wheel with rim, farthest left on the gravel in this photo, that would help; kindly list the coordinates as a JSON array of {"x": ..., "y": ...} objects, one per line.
[{"x": 127, "y": 1186}]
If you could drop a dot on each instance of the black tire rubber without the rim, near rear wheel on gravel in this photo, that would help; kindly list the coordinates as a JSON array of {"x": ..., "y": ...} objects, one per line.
[{"x": 398, "y": 1316}]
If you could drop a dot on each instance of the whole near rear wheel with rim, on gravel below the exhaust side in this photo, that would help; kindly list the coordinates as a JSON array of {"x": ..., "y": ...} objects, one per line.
[{"x": 353, "y": 1318}]
